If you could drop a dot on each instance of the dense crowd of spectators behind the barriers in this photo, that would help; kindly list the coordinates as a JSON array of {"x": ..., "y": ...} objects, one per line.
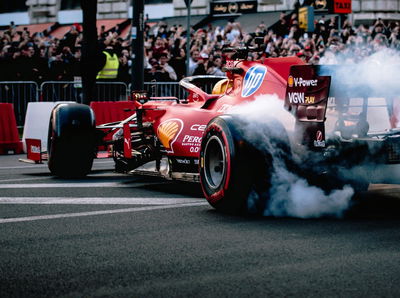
[{"x": 41, "y": 57}]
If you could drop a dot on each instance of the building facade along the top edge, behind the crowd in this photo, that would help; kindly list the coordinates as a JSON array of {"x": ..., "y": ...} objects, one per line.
[{"x": 64, "y": 11}]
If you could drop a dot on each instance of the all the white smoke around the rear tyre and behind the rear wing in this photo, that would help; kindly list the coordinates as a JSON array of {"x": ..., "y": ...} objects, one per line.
[{"x": 290, "y": 194}]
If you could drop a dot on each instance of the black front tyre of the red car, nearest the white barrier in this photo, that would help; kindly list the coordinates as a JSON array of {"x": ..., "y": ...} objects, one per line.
[{"x": 71, "y": 140}]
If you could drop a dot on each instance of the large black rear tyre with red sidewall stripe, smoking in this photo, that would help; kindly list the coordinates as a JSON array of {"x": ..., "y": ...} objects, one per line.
[{"x": 232, "y": 169}]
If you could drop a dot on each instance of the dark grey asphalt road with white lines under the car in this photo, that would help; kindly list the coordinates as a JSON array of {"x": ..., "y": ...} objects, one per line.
[{"x": 116, "y": 235}]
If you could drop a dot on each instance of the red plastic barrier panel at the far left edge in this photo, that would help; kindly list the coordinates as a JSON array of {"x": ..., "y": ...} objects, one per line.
[{"x": 9, "y": 138}]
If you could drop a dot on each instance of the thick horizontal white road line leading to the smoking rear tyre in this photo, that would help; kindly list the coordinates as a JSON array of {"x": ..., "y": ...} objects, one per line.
[{"x": 97, "y": 201}]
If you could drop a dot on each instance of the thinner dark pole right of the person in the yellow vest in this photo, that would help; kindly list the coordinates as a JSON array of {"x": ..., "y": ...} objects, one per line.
[{"x": 137, "y": 37}]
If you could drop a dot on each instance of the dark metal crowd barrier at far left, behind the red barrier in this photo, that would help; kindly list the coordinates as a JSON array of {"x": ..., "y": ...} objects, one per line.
[{"x": 19, "y": 94}]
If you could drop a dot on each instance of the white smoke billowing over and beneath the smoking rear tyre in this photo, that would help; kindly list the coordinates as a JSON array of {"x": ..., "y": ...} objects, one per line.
[{"x": 290, "y": 194}]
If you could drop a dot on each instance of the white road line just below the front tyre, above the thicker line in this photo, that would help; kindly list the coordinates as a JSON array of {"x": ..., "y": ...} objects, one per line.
[{"x": 70, "y": 185}]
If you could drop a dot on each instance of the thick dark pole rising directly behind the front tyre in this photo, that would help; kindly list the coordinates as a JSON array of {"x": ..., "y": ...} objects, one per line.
[{"x": 89, "y": 50}]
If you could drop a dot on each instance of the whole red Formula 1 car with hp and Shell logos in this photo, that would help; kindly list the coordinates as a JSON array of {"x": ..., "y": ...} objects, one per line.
[{"x": 202, "y": 142}]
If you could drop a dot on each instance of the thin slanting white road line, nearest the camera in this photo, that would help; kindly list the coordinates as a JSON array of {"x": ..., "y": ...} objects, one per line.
[{"x": 101, "y": 212}]
